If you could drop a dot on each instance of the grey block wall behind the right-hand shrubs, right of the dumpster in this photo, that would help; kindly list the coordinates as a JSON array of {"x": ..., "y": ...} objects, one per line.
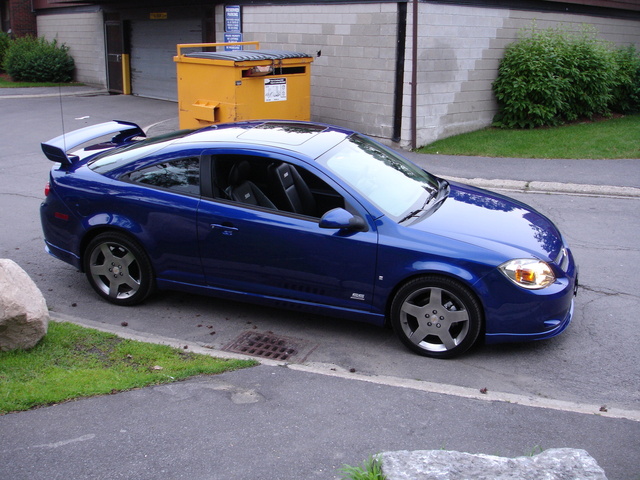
[{"x": 460, "y": 48}]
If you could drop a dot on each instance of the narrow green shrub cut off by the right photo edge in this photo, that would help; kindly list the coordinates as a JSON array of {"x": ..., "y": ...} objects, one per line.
[{"x": 626, "y": 90}]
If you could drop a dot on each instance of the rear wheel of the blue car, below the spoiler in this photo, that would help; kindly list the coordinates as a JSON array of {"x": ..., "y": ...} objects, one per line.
[{"x": 118, "y": 269}]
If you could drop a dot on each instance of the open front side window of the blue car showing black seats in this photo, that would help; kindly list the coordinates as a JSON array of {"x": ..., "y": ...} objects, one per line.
[{"x": 274, "y": 184}]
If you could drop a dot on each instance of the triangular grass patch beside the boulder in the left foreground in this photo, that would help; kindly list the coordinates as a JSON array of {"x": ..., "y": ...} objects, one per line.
[{"x": 73, "y": 361}]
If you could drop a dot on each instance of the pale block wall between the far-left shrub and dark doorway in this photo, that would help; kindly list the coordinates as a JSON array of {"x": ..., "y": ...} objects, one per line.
[{"x": 83, "y": 33}]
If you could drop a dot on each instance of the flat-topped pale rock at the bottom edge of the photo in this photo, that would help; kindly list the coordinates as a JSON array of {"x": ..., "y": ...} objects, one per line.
[{"x": 553, "y": 464}]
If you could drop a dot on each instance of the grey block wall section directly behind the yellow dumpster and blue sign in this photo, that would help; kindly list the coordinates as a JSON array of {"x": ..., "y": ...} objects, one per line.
[{"x": 352, "y": 82}]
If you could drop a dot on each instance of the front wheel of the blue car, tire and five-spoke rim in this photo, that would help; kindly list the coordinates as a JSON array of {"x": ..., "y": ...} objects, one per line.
[{"x": 436, "y": 316}]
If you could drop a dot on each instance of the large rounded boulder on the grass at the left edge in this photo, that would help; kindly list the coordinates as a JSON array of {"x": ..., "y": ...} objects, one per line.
[{"x": 24, "y": 317}]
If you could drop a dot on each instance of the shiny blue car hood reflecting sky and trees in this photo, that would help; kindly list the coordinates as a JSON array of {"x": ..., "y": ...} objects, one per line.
[{"x": 495, "y": 222}]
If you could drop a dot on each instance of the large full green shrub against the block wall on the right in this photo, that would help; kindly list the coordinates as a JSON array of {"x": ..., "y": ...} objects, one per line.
[{"x": 552, "y": 76}]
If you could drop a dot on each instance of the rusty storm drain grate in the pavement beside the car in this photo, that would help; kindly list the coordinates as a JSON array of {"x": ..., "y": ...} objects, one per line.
[{"x": 267, "y": 345}]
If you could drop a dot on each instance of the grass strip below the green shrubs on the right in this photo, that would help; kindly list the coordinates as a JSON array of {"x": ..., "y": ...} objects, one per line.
[{"x": 604, "y": 139}]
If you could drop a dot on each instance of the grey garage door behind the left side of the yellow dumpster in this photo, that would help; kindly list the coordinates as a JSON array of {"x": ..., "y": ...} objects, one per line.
[{"x": 153, "y": 46}]
